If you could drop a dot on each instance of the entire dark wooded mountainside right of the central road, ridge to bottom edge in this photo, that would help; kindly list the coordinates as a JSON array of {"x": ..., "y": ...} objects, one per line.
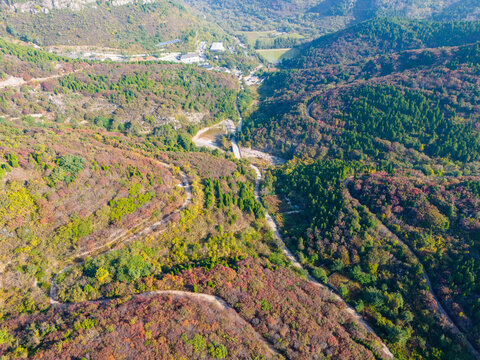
[{"x": 380, "y": 122}]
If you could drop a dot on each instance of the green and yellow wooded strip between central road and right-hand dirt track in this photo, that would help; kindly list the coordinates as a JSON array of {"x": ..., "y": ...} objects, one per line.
[{"x": 343, "y": 245}]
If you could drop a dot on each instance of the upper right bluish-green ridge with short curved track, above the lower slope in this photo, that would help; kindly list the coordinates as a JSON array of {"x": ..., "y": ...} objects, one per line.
[{"x": 434, "y": 78}]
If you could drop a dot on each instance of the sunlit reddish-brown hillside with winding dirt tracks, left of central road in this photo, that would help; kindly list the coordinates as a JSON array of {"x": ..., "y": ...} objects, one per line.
[{"x": 120, "y": 238}]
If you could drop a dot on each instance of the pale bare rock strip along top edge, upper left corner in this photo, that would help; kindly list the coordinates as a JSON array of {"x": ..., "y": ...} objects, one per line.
[{"x": 35, "y": 6}]
